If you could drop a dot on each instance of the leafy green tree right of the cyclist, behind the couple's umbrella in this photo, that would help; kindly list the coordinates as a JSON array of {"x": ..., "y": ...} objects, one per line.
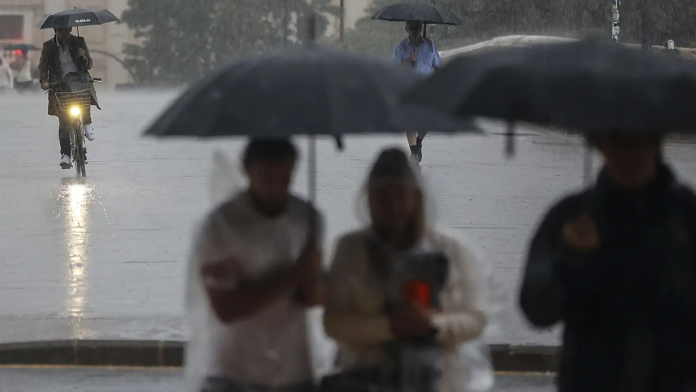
[{"x": 183, "y": 41}]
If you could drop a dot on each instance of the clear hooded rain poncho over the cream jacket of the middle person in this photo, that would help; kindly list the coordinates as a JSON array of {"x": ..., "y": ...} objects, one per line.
[{"x": 354, "y": 288}]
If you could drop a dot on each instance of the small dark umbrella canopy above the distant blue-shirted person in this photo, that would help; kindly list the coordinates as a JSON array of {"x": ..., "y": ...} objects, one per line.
[{"x": 417, "y": 10}]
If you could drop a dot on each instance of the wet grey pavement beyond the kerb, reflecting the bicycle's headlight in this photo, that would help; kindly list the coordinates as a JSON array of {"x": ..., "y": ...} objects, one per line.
[{"x": 106, "y": 258}]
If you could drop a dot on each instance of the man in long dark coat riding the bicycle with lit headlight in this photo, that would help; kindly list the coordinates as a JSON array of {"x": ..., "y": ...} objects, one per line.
[{"x": 65, "y": 58}]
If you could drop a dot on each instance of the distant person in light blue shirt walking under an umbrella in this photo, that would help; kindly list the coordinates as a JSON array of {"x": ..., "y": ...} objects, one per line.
[{"x": 419, "y": 53}]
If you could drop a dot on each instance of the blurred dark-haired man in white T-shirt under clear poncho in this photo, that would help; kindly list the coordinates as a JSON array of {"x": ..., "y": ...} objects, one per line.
[{"x": 256, "y": 268}]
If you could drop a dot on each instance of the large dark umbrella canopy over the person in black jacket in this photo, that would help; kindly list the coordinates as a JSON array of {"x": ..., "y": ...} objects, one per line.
[{"x": 587, "y": 86}]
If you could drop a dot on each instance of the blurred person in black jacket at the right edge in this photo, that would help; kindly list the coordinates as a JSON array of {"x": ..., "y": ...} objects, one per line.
[{"x": 615, "y": 264}]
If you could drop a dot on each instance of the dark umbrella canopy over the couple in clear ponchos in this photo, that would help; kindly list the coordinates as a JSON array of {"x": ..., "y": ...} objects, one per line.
[{"x": 303, "y": 92}]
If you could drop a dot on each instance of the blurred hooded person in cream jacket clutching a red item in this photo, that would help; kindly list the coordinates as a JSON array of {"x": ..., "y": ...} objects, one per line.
[{"x": 358, "y": 314}]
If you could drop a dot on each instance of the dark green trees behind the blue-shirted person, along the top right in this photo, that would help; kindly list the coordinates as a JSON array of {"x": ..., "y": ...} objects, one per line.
[{"x": 485, "y": 19}]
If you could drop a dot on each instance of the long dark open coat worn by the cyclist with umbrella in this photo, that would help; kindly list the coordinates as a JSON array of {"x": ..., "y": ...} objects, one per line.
[{"x": 49, "y": 66}]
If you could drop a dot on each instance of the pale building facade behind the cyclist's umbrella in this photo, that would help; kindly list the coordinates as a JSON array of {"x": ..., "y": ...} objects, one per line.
[{"x": 18, "y": 19}]
